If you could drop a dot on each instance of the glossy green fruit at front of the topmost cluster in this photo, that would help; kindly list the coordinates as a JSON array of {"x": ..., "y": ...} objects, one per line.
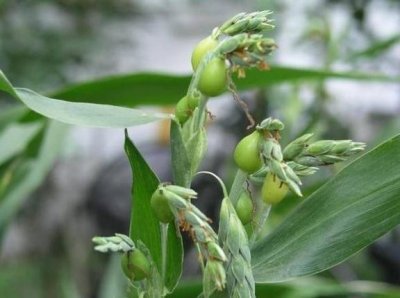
[{"x": 213, "y": 78}]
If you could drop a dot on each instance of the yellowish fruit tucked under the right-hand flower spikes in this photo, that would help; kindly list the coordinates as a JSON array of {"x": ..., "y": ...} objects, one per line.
[{"x": 273, "y": 190}]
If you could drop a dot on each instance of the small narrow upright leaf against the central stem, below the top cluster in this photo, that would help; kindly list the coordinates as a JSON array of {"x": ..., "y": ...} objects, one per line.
[{"x": 180, "y": 163}]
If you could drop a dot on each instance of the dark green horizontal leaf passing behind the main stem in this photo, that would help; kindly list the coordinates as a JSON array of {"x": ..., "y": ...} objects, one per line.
[{"x": 162, "y": 89}]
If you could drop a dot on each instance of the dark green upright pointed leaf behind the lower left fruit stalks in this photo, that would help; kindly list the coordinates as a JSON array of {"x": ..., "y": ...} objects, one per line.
[{"x": 144, "y": 225}]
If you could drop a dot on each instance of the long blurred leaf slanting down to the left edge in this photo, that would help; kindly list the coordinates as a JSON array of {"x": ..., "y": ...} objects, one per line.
[{"x": 32, "y": 174}]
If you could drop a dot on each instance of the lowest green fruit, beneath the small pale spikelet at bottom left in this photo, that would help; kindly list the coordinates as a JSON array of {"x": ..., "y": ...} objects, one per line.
[{"x": 135, "y": 265}]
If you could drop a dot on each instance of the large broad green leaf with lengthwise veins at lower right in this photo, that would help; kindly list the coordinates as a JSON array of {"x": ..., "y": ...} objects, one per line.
[{"x": 348, "y": 213}]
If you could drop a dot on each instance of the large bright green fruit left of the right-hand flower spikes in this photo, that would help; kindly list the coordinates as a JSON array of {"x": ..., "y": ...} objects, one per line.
[{"x": 247, "y": 153}]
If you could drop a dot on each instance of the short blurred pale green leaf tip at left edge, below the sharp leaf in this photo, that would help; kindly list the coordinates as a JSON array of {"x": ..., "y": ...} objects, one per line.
[{"x": 15, "y": 138}]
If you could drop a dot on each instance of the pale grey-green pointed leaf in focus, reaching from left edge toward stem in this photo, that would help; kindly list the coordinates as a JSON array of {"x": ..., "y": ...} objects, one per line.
[{"x": 80, "y": 113}]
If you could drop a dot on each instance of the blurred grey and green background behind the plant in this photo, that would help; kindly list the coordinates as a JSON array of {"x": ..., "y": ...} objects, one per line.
[{"x": 84, "y": 183}]
